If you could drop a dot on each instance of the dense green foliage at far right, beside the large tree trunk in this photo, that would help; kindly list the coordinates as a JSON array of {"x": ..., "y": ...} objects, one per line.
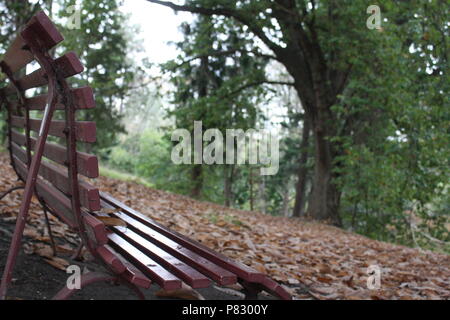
[{"x": 396, "y": 162}]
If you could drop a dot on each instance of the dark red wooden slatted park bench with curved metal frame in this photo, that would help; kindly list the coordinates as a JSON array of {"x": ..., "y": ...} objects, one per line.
[{"x": 43, "y": 134}]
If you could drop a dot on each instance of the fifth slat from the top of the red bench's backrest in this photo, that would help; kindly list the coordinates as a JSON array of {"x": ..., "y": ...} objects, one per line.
[{"x": 87, "y": 163}]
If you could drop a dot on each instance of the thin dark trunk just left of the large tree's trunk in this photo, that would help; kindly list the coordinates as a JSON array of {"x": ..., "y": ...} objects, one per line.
[{"x": 300, "y": 196}]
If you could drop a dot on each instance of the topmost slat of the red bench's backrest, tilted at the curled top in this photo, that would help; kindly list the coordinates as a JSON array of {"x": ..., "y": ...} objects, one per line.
[{"x": 16, "y": 57}]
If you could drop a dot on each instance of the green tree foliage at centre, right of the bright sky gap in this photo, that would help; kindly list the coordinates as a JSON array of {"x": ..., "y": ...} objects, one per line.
[{"x": 215, "y": 88}]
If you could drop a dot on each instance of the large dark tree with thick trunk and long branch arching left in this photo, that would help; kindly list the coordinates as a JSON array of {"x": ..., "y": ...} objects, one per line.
[{"x": 323, "y": 44}]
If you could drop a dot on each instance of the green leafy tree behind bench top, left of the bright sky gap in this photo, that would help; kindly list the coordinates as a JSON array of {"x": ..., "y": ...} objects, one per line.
[{"x": 102, "y": 45}]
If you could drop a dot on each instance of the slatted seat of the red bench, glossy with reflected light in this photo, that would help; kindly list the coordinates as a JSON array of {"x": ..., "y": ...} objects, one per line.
[{"x": 169, "y": 258}]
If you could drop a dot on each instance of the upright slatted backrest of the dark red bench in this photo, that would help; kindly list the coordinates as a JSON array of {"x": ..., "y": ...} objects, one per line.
[{"x": 61, "y": 163}]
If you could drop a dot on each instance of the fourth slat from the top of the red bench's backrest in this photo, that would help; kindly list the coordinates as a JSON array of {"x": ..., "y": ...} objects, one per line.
[{"x": 85, "y": 130}]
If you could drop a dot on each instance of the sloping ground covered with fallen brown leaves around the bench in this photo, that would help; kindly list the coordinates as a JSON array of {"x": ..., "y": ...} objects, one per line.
[{"x": 312, "y": 260}]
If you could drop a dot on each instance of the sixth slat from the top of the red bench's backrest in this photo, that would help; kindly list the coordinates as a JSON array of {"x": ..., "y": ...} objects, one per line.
[{"x": 89, "y": 195}]
